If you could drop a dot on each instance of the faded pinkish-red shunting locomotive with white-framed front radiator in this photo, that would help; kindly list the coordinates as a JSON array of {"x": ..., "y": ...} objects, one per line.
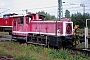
[{"x": 34, "y": 29}]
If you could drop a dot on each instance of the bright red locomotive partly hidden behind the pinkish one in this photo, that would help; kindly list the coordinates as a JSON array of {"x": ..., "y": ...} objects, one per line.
[{"x": 6, "y": 23}]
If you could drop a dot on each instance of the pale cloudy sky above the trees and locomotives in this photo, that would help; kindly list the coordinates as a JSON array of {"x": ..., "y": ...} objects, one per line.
[{"x": 49, "y": 6}]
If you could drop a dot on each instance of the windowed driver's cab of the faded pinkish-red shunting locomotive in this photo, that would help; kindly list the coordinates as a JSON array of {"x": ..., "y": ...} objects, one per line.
[{"x": 22, "y": 24}]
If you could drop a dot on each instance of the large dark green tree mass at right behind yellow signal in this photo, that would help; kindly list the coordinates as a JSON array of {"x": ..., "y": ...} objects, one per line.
[{"x": 79, "y": 19}]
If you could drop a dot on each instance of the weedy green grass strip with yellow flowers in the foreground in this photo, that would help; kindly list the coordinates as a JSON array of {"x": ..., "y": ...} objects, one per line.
[{"x": 32, "y": 52}]
